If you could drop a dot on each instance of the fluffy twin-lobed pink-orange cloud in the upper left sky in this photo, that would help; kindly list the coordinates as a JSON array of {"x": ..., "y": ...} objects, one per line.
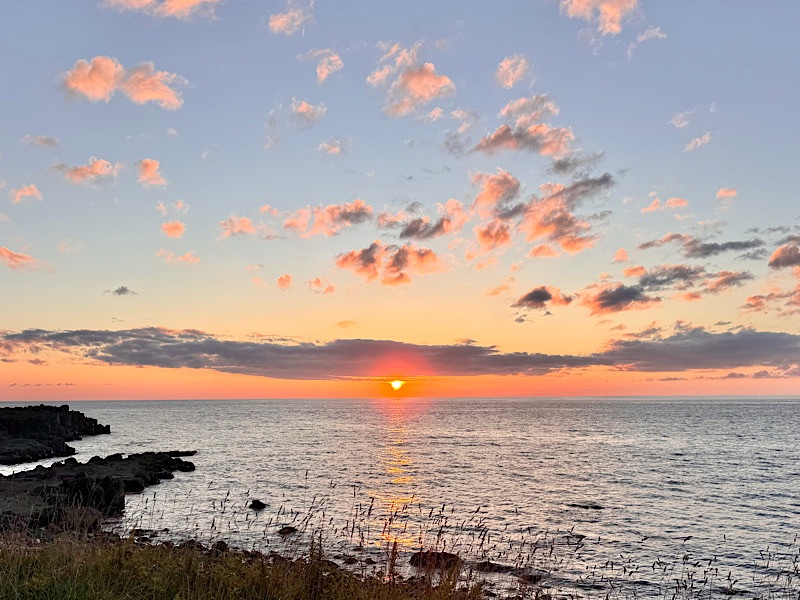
[{"x": 103, "y": 76}]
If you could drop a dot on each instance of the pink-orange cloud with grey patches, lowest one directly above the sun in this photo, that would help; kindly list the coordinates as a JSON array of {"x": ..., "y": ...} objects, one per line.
[{"x": 394, "y": 265}]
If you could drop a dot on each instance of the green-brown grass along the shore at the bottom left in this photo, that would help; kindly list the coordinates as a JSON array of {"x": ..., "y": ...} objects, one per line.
[{"x": 69, "y": 567}]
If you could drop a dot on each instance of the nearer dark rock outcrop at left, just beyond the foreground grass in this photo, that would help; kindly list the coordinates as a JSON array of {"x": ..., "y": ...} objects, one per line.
[{"x": 46, "y": 495}]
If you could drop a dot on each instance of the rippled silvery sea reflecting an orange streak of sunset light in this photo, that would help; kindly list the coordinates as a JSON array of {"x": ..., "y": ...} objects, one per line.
[{"x": 636, "y": 490}]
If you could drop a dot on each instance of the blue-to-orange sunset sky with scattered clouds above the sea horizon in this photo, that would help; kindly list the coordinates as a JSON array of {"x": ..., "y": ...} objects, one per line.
[{"x": 242, "y": 199}]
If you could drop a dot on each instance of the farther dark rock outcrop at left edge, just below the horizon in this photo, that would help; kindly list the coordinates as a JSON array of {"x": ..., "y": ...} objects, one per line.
[{"x": 31, "y": 433}]
